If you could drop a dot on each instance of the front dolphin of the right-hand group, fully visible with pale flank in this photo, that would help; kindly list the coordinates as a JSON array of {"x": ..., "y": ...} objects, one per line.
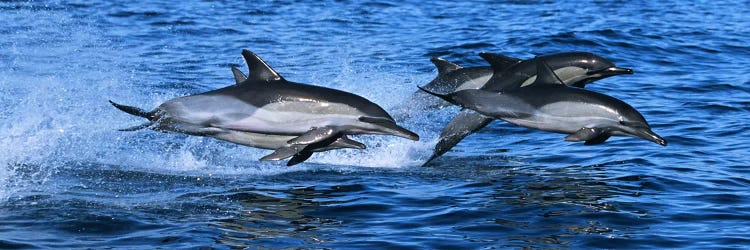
[{"x": 549, "y": 105}]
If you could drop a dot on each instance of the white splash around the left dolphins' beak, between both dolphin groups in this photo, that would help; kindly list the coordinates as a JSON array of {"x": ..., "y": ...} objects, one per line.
[{"x": 394, "y": 92}]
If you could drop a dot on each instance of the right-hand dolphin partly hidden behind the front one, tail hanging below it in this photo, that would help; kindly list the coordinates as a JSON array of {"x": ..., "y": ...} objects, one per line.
[{"x": 574, "y": 68}]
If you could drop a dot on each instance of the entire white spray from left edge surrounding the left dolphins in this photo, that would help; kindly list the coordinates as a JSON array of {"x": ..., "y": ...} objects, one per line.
[{"x": 63, "y": 69}]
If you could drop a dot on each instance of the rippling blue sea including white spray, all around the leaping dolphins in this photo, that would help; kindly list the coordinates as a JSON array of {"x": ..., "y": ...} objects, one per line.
[{"x": 69, "y": 179}]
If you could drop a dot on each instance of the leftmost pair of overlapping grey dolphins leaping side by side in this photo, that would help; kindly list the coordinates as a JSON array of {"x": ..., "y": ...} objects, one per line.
[{"x": 266, "y": 111}]
